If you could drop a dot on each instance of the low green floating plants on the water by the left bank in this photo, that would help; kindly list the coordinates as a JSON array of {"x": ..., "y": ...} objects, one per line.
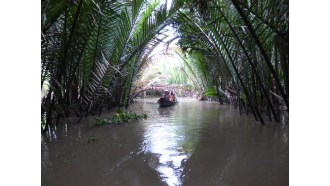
[{"x": 121, "y": 117}]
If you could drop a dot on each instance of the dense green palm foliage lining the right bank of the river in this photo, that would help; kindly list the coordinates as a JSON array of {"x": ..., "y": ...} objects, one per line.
[{"x": 245, "y": 44}]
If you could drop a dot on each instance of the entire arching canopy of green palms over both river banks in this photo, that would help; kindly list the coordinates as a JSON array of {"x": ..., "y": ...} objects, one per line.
[{"x": 93, "y": 51}]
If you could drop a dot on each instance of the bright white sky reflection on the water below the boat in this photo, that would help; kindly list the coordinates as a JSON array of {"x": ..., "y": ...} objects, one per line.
[{"x": 164, "y": 139}]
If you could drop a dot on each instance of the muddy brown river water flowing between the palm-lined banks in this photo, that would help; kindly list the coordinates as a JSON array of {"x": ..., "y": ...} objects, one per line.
[{"x": 192, "y": 143}]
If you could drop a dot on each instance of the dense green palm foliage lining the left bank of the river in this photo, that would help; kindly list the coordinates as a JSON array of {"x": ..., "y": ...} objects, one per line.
[{"x": 91, "y": 50}]
